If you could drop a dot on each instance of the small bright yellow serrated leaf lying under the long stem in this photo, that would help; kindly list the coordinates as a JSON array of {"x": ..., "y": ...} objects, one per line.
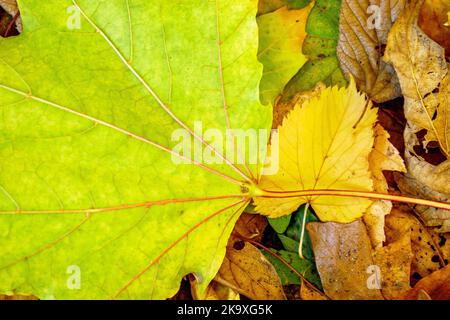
[{"x": 324, "y": 144}]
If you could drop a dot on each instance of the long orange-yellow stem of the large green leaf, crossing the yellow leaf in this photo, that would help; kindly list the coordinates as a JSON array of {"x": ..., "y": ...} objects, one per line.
[{"x": 349, "y": 193}]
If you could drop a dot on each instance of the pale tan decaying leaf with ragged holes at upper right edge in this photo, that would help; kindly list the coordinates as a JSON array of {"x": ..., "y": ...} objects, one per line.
[{"x": 421, "y": 66}]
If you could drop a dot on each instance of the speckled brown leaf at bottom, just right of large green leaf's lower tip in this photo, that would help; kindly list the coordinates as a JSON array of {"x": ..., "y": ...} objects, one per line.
[{"x": 247, "y": 271}]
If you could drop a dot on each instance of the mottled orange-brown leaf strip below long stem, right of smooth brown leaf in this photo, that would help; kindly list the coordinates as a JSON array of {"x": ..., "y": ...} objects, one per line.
[{"x": 395, "y": 259}]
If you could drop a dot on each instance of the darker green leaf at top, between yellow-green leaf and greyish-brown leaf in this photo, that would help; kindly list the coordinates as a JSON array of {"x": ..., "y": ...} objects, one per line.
[{"x": 320, "y": 48}]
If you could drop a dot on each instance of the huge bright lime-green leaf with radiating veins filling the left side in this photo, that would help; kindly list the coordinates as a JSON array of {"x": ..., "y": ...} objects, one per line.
[{"x": 88, "y": 186}]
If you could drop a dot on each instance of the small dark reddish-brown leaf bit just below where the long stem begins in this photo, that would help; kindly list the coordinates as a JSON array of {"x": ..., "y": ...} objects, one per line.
[{"x": 250, "y": 226}]
